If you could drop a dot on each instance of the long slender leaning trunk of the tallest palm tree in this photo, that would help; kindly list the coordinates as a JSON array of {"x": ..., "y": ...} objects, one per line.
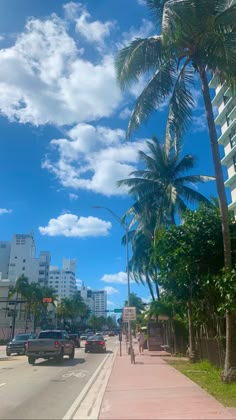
[{"x": 229, "y": 373}]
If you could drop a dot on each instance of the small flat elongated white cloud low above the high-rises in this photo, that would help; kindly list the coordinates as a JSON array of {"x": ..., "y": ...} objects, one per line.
[{"x": 70, "y": 225}]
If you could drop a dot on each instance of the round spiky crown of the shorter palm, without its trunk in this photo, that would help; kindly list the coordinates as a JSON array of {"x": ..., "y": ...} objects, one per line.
[{"x": 163, "y": 189}]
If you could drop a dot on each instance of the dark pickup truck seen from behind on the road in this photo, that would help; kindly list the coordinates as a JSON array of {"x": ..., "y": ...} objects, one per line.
[{"x": 50, "y": 344}]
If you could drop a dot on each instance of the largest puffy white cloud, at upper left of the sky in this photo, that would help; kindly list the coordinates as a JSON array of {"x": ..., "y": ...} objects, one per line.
[{"x": 54, "y": 82}]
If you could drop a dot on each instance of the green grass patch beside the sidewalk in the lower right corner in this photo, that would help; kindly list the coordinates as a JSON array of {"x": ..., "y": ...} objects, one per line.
[{"x": 209, "y": 378}]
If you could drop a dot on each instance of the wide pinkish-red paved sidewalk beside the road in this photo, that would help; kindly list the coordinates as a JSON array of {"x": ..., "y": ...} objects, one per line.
[{"x": 152, "y": 389}]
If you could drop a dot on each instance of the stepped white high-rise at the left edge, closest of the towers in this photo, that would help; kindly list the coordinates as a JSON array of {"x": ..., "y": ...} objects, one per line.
[{"x": 18, "y": 258}]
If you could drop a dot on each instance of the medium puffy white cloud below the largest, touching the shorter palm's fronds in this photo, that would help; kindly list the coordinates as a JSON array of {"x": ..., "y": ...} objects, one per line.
[{"x": 94, "y": 159}]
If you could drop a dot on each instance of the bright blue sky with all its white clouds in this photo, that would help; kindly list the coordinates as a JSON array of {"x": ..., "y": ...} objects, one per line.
[{"x": 62, "y": 123}]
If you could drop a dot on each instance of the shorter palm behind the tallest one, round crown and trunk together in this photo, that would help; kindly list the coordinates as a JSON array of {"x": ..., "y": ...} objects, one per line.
[{"x": 162, "y": 190}]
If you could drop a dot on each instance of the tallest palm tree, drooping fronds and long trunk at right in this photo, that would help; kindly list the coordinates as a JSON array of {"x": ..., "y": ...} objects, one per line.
[{"x": 196, "y": 37}]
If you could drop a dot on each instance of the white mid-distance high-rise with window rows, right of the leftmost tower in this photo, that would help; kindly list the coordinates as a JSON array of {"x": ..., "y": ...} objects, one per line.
[{"x": 63, "y": 280}]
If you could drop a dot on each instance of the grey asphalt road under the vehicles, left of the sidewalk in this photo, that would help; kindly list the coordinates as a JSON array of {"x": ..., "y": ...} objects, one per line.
[{"x": 46, "y": 390}]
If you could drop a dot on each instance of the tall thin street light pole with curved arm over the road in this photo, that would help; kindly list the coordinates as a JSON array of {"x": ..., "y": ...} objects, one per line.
[{"x": 126, "y": 228}]
